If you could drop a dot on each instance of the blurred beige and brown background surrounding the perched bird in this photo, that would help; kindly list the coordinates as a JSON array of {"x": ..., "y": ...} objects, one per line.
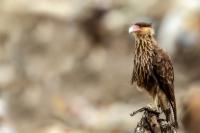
[{"x": 65, "y": 65}]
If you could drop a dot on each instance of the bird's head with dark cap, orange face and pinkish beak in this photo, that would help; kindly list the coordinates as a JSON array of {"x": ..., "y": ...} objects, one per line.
[{"x": 141, "y": 29}]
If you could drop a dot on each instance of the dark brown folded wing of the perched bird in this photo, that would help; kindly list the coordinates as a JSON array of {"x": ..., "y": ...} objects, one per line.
[{"x": 164, "y": 74}]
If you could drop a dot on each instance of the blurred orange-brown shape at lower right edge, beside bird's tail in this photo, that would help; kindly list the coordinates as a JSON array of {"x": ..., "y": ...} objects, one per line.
[{"x": 191, "y": 109}]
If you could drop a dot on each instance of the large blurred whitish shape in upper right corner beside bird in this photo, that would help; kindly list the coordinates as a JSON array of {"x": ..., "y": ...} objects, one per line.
[{"x": 177, "y": 22}]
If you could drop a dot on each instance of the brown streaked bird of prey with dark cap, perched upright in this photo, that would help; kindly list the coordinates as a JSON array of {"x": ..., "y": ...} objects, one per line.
[{"x": 153, "y": 70}]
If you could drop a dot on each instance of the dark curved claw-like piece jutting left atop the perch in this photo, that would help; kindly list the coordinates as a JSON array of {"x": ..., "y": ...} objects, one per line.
[{"x": 148, "y": 109}]
